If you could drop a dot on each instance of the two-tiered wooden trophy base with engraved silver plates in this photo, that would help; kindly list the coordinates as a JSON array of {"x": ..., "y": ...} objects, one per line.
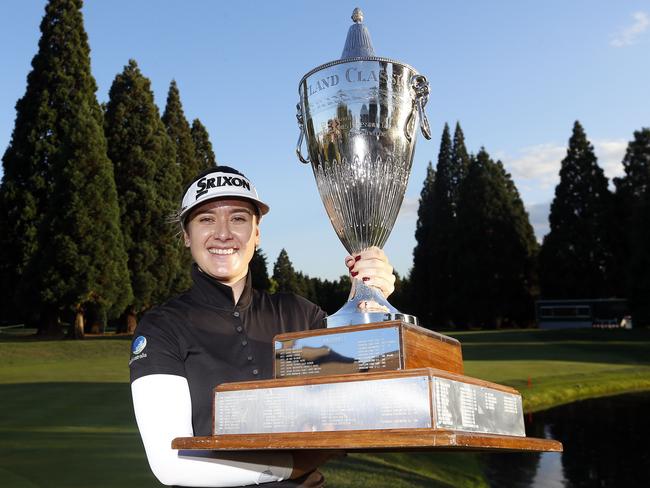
[{"x": 385, "y": 386}]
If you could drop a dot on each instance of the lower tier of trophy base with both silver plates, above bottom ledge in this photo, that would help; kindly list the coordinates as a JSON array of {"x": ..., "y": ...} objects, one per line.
[{"x": 414, "y": 399}]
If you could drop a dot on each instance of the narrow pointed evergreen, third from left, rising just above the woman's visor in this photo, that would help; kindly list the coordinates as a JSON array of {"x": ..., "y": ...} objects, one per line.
[{"x": 179, "y": 130}]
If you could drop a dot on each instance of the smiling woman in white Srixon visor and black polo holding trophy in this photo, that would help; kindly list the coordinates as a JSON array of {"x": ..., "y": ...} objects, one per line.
[{"x": 221, "y": 330}]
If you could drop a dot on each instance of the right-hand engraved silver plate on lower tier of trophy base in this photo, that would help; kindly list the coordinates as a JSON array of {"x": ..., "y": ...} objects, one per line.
[{"x": 473, "y": 408}]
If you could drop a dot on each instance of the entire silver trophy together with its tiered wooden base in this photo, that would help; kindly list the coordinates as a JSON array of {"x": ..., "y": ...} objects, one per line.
[{"x": 372, "y": 379}]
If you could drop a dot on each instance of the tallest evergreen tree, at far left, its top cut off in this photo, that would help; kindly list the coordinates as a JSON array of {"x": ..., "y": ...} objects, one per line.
[{"x": 58, "y": 186}]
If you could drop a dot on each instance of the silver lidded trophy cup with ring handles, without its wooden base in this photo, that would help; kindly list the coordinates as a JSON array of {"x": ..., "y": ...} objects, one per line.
[{"x": 359, "y": 117}]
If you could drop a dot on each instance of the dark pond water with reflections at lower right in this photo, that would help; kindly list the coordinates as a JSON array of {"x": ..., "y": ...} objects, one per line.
[{"x": 605, "y": 445}]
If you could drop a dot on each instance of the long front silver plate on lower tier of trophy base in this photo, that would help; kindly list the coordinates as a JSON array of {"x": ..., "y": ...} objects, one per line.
[{"x": 392, "y": 403}]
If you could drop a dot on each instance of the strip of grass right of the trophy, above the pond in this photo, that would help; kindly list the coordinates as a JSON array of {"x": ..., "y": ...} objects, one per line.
[{"x": 551, "y": 368}]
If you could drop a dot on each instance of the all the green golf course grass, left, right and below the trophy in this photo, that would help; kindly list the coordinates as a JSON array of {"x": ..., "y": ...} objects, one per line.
[{"x": 66, "y": 418}]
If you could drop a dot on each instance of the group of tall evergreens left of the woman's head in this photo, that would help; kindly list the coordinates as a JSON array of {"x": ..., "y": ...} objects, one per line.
[{"x": 89, "y": 191}]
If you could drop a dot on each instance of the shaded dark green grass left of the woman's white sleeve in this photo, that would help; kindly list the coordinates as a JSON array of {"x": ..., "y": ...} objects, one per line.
[{"x": 70, "y": 435}]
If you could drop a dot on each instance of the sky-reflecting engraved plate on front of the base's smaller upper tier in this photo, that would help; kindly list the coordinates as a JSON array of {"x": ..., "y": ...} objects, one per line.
[{"x": 339, "y": 353}]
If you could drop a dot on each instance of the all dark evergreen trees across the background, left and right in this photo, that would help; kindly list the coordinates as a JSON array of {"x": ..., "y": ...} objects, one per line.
[{"x": 89, "y": 190}]
